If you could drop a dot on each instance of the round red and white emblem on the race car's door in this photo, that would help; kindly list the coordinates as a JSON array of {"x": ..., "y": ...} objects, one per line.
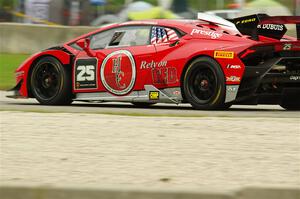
[{"x": 118, "y": 72}]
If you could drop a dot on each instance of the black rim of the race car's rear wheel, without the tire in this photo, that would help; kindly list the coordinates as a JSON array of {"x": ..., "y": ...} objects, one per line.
[{"x": 202, "y": 84}]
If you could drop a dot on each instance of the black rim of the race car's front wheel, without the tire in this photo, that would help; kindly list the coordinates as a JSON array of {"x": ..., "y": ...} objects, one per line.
[{"x": 46, "y": 81}]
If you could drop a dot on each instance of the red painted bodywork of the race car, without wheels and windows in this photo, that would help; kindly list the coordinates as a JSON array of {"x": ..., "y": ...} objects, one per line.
[{"x": 161, "y": 65}]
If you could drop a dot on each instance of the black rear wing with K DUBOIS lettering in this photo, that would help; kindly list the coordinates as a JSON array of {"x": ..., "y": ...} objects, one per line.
[{"x": 265, "y": 25}]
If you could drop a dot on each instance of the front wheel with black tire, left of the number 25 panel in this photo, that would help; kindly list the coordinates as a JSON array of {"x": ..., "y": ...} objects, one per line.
[{"x": 50, "y": 82}]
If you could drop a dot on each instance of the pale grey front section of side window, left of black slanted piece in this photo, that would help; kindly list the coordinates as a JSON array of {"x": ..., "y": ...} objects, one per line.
[{"x": 101, "y": 40}]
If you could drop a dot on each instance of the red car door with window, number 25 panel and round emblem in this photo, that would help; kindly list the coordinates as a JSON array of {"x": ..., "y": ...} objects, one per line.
[{"x": 119, "y": 54}]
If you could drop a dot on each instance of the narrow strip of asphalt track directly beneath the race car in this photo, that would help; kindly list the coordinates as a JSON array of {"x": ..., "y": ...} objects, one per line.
[{"x": 181, "y": 110}]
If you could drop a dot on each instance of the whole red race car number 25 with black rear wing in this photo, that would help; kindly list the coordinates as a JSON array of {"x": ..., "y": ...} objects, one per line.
[{"x": 210, "y": 63}]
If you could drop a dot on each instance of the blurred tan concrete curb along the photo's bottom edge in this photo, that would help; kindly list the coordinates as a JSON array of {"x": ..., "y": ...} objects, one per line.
[{"x": 12, "y": 192}]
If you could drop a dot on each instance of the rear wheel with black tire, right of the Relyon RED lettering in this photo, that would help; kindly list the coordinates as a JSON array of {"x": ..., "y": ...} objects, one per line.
[{"x": 204, "y": 84}]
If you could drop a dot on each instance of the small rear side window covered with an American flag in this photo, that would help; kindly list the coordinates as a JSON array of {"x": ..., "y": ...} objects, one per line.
[{"x": 163, "y": 35}]
